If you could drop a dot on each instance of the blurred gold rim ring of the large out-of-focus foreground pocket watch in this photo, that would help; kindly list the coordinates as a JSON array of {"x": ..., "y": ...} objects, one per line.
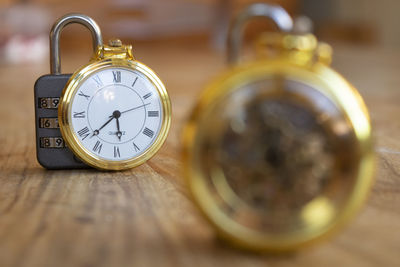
[{"x": 318, "y": 76}]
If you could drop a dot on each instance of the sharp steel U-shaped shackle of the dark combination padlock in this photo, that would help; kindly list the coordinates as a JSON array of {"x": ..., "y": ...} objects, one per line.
[{"x": 55, "y": 56}]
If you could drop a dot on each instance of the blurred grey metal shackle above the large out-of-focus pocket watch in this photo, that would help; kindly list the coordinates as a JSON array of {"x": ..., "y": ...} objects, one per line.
[{"x": 276, "y": 13}]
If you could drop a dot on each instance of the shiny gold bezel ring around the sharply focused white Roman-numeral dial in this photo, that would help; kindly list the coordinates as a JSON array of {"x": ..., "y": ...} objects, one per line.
[{"x": 72, "y": 140}]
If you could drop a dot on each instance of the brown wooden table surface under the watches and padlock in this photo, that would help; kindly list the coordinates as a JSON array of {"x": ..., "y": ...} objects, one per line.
[{"x": 144, "y": 217}]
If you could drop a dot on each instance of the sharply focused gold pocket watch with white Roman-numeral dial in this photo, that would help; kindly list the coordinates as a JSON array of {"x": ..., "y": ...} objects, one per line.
[{"x": 114, "y": 112}]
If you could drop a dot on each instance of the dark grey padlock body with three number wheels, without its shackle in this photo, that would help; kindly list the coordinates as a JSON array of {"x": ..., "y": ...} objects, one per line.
[{"x": 51, "y": 150}]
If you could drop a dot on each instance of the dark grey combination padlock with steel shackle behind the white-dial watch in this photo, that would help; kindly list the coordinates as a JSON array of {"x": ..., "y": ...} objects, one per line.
[{"x": 52, "y": 152}]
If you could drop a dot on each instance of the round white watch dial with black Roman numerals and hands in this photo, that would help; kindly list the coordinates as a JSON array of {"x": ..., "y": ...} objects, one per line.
[{"x": 116, "y": 113}]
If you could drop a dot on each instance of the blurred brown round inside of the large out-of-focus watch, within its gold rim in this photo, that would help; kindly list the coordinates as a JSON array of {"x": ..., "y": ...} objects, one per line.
[{"x": 276, "y": 152}]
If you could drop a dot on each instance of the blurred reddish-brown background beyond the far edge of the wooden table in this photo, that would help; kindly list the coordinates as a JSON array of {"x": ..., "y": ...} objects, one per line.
[{"x": 25, "y": 24}]
